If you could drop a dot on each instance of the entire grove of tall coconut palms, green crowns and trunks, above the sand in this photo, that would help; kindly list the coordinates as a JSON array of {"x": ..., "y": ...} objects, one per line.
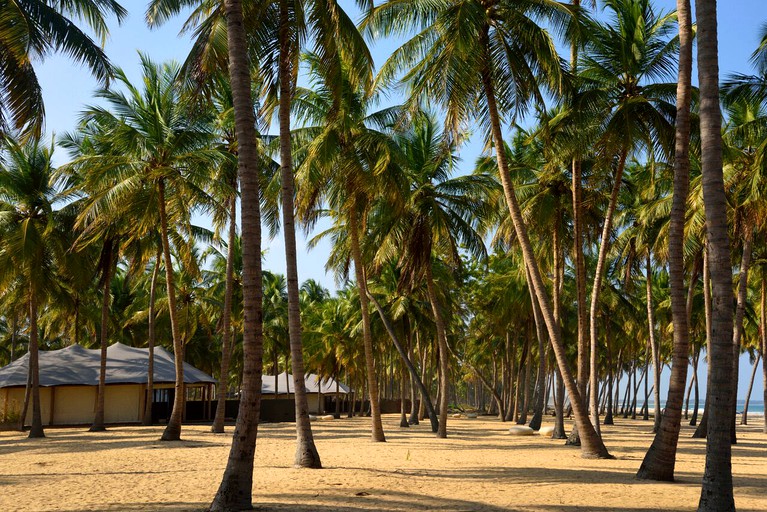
[{"x": 615, "y": 224}]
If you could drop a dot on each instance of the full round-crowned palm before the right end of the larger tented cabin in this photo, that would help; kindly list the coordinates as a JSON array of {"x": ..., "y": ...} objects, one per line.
[{"x": 150, "y": 151}]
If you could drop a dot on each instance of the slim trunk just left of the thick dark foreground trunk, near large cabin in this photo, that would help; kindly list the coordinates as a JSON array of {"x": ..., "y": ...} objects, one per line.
[{"x": 226, "y": 335}]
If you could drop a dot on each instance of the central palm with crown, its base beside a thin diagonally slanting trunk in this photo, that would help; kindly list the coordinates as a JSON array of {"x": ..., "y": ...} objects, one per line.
[{"x": 435, "y": 221}]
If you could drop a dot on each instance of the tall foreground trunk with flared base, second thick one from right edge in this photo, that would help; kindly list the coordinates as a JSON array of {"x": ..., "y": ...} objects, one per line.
[{"x": 660, "y": 459}]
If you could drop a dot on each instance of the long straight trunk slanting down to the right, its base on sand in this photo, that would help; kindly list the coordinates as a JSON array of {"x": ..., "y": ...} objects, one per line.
[{"x": 591, "y": 443}]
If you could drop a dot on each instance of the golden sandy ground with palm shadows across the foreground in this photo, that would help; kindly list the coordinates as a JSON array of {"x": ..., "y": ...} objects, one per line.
[{"x": 478, "y": 468}]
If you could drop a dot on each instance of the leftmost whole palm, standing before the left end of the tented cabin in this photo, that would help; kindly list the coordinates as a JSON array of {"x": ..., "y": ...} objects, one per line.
[{"x": 34, "y": 241}]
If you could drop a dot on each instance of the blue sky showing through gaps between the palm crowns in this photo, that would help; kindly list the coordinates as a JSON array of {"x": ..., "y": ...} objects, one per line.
[{"x": 67, "y": 88}]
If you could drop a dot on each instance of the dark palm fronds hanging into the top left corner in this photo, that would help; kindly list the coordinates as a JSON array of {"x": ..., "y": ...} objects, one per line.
[{"x": 32, "y": 30}]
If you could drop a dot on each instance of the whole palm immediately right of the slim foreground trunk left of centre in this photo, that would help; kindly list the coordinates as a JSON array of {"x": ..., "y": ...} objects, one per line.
[{"x": 341, "y": 148}]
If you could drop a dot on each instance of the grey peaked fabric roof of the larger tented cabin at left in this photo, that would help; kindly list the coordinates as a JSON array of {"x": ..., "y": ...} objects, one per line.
[{"x": 80, "y": 366}]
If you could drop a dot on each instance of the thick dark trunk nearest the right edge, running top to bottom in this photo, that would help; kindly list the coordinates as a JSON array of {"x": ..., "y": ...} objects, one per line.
[{"x": 716, "y": 491}]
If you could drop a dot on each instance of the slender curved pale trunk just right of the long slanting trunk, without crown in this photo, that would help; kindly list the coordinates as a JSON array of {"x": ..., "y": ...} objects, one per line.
[{"x": 598, "y": 276}]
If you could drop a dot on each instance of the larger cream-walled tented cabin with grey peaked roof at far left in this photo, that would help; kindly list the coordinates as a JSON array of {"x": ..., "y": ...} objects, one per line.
[{"x": 69, "y": 382}]
